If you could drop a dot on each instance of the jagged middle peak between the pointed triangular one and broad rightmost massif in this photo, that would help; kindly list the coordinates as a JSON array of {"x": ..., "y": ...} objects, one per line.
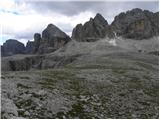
[{"x": 93, "y": 30}]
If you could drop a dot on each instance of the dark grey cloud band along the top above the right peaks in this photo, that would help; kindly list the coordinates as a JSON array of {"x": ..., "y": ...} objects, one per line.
[{"x": 72, "y": 8}]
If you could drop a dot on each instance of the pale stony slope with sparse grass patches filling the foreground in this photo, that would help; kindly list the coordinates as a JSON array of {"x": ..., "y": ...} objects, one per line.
[{"x": 102, "y": 81}]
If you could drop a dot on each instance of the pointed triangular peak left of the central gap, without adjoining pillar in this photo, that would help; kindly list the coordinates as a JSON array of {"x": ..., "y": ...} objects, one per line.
[{"x": 52, "y": 39}]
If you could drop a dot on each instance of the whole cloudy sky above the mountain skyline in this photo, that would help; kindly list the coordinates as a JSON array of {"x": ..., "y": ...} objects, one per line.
[{"x": 20, "y": 19}]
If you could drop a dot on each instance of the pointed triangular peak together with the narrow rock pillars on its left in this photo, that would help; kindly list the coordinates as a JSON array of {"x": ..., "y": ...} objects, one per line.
[{"x": 52, "y": 39}]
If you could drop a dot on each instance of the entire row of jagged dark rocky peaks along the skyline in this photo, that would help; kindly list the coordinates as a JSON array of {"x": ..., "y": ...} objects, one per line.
[{"x": 134, "y": 24}]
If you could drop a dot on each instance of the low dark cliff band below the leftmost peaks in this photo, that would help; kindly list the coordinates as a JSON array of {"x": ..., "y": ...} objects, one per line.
[{"x": 21, "y": 63}]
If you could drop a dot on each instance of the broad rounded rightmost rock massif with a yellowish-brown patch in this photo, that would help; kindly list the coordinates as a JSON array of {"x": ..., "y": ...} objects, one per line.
[{"x": 136, "y": 24}]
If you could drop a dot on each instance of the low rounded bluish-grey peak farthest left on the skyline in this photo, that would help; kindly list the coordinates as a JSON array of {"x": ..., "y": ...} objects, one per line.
[{"x": 11, "y": 47}]
